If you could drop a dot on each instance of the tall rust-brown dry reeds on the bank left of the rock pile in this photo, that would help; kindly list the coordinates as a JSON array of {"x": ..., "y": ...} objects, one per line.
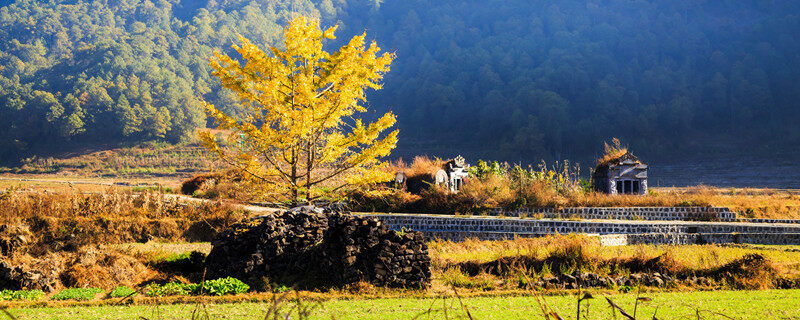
[{"x": 38, "y": 223}]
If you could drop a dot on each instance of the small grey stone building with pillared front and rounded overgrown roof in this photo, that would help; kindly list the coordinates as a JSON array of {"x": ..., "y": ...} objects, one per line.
[{"x": 621, "y": 175}]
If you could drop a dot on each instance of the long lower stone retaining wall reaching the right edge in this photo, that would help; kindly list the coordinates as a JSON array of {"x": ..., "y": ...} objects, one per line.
[{"x": 667, "y": 232}]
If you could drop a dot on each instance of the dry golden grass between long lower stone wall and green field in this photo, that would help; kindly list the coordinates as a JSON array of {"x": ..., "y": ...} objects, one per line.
[{"x": 475, "y": 263}]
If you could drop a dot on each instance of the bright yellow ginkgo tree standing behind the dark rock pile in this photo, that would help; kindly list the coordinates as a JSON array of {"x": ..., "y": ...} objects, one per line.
[{"x": 299, "y": 136}]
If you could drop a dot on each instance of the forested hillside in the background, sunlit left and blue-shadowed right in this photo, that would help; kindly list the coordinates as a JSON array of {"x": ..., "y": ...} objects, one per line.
[{"x": 530, "y": 78}]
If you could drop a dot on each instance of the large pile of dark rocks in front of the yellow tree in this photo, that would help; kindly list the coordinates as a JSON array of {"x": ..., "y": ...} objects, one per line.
[{"x": 310, "y": 247}]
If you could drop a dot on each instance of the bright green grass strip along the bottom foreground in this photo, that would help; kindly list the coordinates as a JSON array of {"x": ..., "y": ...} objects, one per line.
[{"x": 766, "y": 304}]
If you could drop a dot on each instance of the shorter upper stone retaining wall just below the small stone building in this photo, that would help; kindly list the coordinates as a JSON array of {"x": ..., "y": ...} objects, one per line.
[{"x": 624, "y": 213}]
